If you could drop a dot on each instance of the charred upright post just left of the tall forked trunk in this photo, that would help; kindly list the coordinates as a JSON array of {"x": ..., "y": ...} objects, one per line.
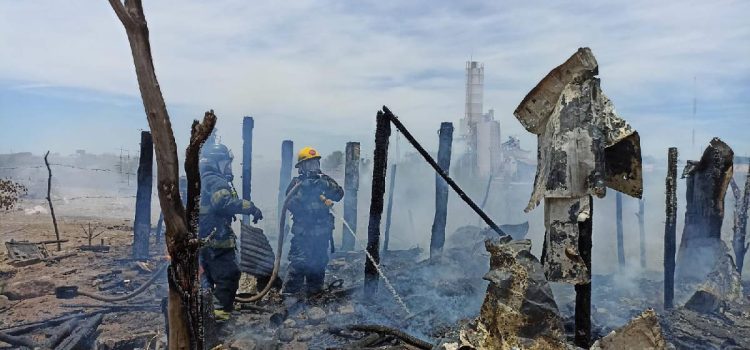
[{"x": 142, "y": 222}]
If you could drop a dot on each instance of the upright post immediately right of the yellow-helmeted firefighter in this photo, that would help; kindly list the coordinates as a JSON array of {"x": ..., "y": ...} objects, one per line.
[{"x": 351, "y": 187}]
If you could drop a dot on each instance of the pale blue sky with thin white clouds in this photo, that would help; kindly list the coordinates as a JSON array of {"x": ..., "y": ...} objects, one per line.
[{"x": 316, "y": 72}]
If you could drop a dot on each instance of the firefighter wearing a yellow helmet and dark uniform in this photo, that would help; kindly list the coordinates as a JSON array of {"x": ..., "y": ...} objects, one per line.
[{"x": 312, "y": 224}]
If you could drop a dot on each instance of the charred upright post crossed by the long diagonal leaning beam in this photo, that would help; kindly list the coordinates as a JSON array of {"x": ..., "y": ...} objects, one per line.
[{"x": 437, "y": 240}]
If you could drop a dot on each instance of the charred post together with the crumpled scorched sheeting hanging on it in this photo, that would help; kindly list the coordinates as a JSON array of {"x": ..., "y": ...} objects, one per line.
[{"x": 583, "y": 148}]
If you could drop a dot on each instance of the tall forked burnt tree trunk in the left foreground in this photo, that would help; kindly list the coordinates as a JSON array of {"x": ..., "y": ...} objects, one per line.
[{"x": 184, "y": 301}]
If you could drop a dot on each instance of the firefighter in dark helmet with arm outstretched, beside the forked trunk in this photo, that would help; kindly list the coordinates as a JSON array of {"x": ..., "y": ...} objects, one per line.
[{"x": 219, "y": 204}]
